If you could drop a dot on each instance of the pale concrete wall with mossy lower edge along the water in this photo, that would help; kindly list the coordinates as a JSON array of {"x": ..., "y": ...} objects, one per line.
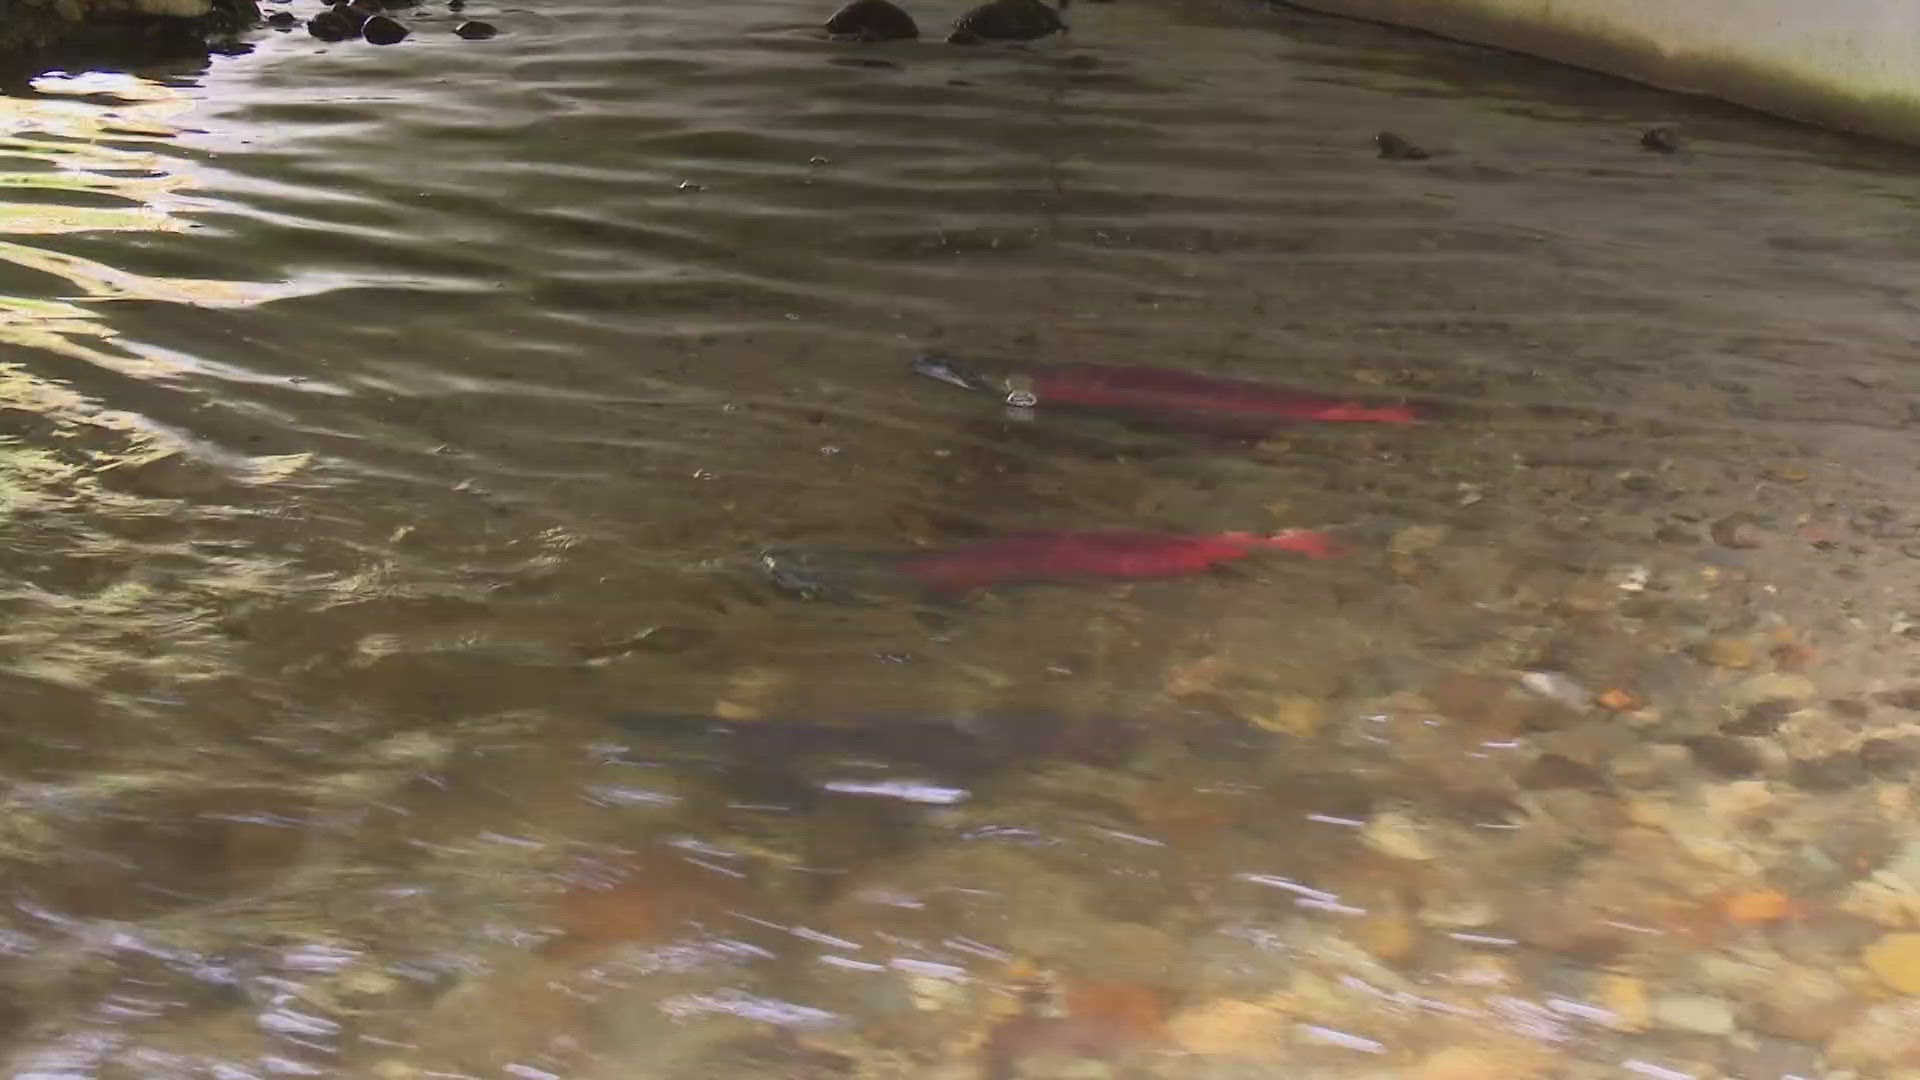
[{"x": 1850, "y": 64}]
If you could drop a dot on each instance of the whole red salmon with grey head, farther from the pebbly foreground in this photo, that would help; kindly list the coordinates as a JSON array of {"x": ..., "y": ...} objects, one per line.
[{"x": 1157, "y": 393}]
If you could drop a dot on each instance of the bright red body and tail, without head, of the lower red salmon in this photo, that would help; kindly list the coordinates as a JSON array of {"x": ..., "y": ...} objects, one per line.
[{"x": 1116, "y": 554}]
